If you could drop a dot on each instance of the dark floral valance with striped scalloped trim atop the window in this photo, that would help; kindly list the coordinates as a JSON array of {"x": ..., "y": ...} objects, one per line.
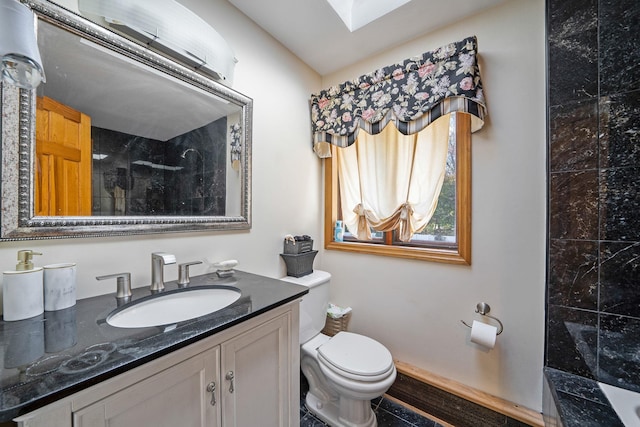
[{"x": 412, "y": 94}]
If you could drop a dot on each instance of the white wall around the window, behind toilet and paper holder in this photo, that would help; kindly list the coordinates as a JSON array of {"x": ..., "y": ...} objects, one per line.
[{"x": 415, "y": 307}]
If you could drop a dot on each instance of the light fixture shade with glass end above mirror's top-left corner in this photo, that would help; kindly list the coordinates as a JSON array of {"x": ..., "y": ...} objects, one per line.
[{"x": 21, "y": 64}]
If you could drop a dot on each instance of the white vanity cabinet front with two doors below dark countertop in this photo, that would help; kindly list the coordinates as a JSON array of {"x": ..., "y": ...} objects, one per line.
[{"x": 247, "y": 375}]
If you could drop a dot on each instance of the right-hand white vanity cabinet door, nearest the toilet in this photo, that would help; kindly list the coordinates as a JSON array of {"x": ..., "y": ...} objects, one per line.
[{"x": 256, "y": 377}]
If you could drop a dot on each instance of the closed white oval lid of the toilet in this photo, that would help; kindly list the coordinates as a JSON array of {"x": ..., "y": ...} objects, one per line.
[{"x": 356, "y": 354}]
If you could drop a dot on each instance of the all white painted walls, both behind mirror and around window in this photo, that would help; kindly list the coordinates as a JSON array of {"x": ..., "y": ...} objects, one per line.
[{"x": 412, "y": 307}]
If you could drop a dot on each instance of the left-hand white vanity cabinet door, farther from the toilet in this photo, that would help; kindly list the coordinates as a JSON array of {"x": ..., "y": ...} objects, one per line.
[{"x": 178, "y": 396}]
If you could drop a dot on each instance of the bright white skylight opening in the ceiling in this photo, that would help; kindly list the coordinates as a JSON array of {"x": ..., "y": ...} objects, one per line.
[{"x": 357, "y": 13}]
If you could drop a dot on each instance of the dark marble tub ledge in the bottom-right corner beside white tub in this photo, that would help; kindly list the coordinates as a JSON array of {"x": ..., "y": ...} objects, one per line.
[{"x": 580, "y": 401}]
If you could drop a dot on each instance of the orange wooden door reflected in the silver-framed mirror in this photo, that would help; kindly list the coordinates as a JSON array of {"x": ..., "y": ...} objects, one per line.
[{"x": 63, "y": 153}]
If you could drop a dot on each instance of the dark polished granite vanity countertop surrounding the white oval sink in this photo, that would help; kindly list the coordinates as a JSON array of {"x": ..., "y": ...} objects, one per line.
[{"x": 58, "y": 353}]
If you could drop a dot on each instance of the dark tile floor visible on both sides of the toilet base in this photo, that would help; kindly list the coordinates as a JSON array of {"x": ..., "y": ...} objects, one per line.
[{"x": 389, "y": 413}]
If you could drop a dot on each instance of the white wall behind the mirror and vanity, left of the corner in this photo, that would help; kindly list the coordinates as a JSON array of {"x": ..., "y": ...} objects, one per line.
[{"x": 286, "y": 174}]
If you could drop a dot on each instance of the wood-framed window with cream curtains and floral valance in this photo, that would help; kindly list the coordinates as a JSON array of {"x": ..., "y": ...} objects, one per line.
[{"x": 392, "y": 195}]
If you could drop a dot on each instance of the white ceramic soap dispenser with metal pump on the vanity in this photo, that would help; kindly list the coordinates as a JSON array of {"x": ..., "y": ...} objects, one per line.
[{"x": 22, "y": 289}]
